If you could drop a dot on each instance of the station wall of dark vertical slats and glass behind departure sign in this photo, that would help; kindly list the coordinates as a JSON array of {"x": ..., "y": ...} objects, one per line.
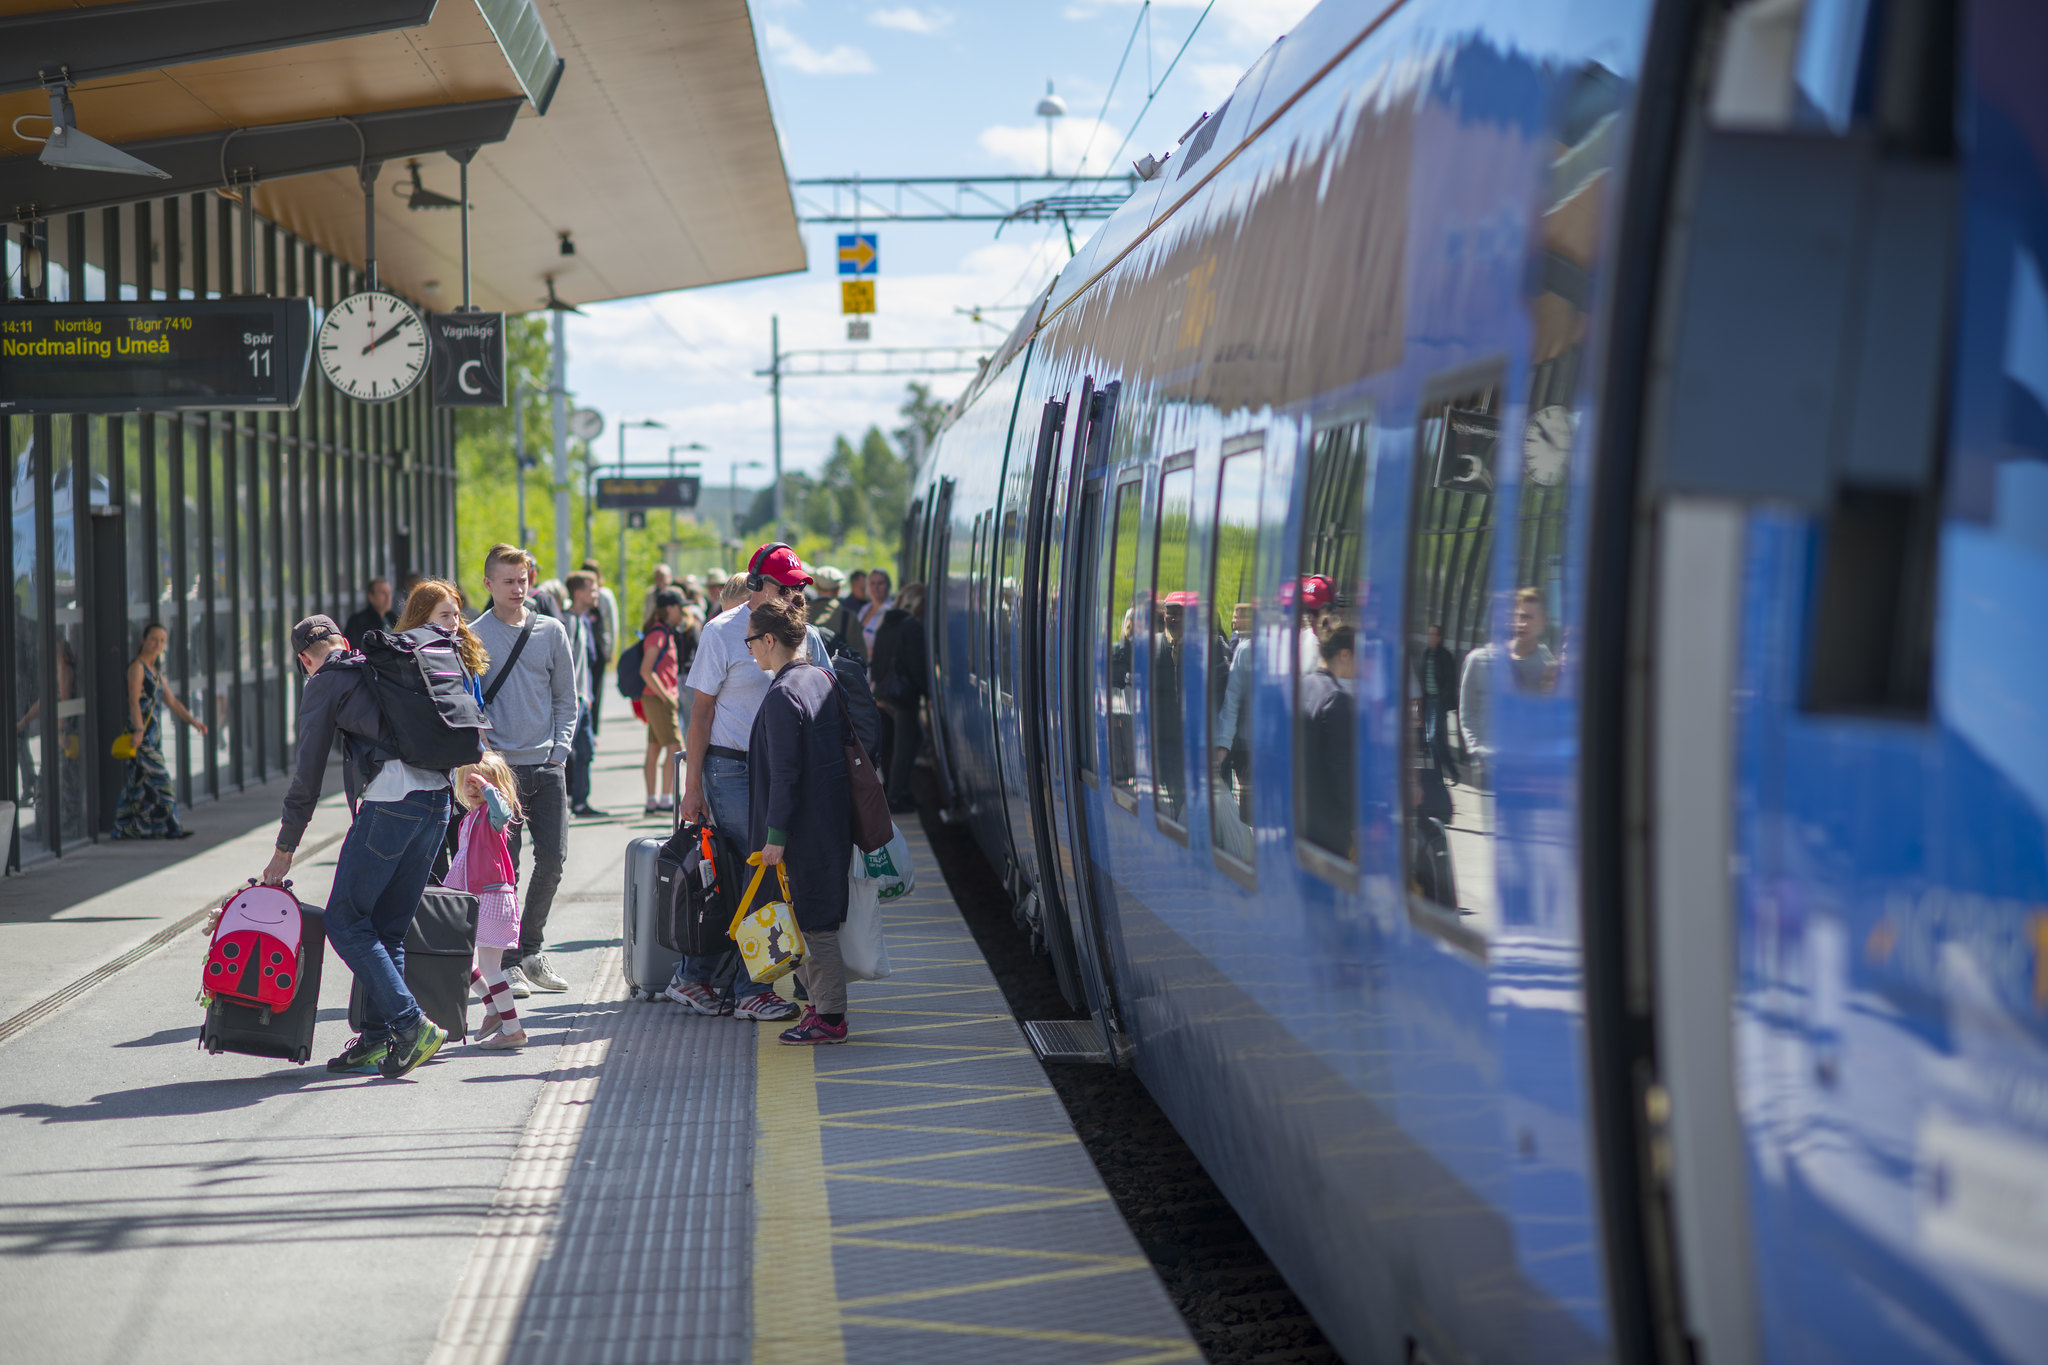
[{"x": 226, "y": 527}]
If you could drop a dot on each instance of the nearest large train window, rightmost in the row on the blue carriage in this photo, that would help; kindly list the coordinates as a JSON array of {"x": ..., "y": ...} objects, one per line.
[{"x": 1453, "y": 625}]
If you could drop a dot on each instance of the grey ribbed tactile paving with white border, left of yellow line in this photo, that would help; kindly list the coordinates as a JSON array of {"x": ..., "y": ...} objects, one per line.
[{"x": 624, "y": 1225}]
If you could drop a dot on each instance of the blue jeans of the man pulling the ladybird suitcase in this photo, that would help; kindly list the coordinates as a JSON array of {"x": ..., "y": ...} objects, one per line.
[{"x": 386, "y": 863}]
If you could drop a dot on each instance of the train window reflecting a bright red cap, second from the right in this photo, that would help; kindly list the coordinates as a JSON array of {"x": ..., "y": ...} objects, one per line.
[{"x": 1328, "y": 650}]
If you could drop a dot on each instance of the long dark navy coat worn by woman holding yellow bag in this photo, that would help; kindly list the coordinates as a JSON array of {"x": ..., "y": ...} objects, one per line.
[{"x": 800, "y": 791}]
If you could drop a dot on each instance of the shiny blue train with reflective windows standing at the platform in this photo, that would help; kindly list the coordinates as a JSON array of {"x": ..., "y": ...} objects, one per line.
[{"x": 1494, "y": 621}]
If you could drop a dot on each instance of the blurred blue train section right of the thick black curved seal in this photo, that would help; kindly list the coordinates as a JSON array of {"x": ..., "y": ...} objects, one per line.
[{"x": 1844, "y": 732}]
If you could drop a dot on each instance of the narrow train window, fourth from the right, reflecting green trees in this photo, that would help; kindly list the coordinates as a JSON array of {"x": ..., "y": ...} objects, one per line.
[{"x": 1177, "y": 619}]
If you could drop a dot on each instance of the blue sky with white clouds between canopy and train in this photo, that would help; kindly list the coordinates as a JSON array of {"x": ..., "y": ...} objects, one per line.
[{"x": 886, "y": 89}]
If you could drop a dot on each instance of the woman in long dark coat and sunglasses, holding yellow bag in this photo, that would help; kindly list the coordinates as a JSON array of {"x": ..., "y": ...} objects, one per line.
[{"x": 802, "y": 805}]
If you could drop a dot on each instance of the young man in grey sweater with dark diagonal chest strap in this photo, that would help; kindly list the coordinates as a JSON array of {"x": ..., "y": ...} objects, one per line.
[{"x": 529, "y": 693}]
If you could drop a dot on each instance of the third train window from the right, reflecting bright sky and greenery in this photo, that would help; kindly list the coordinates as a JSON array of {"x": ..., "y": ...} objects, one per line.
[{"x": 1234, "y": 588}]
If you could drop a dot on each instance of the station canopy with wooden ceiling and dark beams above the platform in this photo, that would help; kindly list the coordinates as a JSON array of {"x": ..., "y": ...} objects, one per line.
[{"x": 636, "y": 130}]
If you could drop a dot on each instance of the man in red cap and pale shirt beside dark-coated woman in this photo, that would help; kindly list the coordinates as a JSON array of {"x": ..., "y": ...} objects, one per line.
[{"x": 730, "y": 689}]
